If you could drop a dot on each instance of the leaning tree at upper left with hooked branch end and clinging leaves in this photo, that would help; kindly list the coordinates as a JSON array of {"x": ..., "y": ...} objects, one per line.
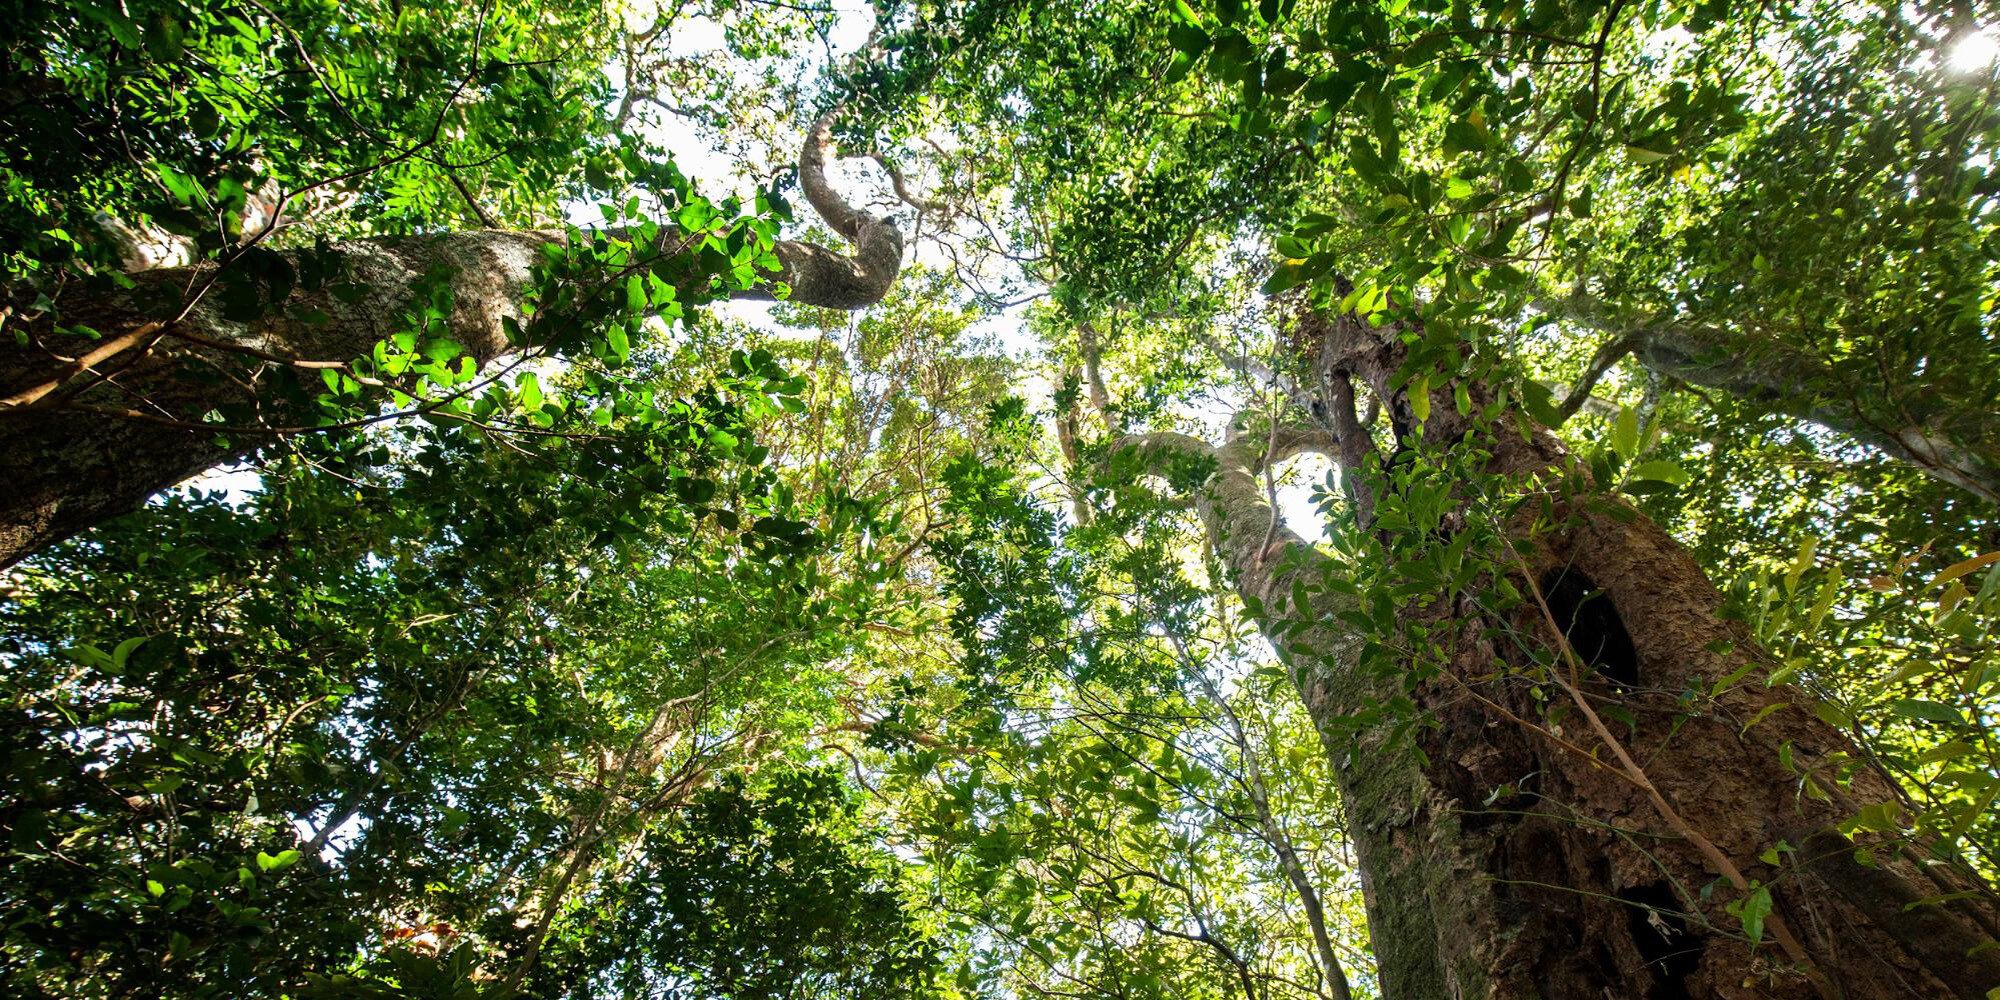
[{"x": 207, "y": 363}]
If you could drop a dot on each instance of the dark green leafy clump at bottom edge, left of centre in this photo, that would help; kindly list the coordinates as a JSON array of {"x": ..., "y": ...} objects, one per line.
[{"x": 755, "y": 893}]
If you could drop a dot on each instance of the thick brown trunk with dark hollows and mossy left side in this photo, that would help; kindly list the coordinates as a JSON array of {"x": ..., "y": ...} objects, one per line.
[{"x": 1505, "y": 849}]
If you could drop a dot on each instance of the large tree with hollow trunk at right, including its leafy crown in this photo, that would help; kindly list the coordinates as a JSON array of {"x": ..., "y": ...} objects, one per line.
[{"x": 1411, "y": 681}]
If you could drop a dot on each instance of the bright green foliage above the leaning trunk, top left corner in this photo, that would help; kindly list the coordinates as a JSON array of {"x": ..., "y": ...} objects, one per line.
[{"x": 207, "y": 119}]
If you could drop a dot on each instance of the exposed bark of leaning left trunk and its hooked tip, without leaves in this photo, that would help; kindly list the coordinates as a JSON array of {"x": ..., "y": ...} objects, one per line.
[{"x": 91, "y": 437}]
